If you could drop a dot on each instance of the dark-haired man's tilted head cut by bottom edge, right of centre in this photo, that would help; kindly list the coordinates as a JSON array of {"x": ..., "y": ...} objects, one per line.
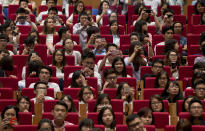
[{"x": 135, "y": 123}]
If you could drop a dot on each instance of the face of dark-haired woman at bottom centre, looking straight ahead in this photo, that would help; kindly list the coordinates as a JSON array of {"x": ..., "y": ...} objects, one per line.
[{"x": 107, "y": 118}]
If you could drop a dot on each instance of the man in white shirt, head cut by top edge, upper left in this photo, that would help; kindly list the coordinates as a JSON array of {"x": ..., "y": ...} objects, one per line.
[{"x": 49, "y": 3}]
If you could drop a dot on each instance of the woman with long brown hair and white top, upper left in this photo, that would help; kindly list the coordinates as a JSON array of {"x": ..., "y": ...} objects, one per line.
[{"x": 49, "y": 31}]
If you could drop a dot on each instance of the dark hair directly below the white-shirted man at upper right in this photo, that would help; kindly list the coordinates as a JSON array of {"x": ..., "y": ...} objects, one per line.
[{"x": 169, "y": 45}]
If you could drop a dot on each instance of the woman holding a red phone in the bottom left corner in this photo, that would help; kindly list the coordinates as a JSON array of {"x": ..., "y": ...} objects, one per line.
[{"x": 9, "y": 117}]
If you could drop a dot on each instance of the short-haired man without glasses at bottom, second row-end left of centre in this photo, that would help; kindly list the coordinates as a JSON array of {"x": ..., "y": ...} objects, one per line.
[{"x": 60, "y": 112}]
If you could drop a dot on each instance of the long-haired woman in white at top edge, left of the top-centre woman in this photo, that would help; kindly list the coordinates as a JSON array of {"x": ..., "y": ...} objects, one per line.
[{"x": 79, "y": 8}]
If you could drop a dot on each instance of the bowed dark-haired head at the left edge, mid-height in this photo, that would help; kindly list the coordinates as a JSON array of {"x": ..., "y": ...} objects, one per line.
[{"x": 6, "y": 63}]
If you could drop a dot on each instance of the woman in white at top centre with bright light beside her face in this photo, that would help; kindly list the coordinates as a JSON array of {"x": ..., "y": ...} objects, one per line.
[{"x": 103, "y": 10}]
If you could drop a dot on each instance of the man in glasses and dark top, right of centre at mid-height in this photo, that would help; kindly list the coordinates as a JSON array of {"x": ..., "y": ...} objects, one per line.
[{"x": 157, "y": 66}]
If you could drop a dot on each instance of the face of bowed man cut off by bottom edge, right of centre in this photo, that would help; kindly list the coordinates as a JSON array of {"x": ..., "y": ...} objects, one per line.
[{"x": 136, "y": 125}]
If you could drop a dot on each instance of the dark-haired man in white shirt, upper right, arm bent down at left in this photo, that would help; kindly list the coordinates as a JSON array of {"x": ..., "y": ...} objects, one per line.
[{"x": 167, "y": 34}]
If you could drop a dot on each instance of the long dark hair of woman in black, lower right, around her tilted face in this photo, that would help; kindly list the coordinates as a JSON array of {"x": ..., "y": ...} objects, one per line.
[{"x": 165, "y": 94}]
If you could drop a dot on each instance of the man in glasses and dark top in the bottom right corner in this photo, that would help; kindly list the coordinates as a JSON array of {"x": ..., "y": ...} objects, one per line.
[{"x": 195, "y": 111}]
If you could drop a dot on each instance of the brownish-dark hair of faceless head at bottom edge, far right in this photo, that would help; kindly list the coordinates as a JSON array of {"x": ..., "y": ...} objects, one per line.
[{"x": 183, "y": 125}]
